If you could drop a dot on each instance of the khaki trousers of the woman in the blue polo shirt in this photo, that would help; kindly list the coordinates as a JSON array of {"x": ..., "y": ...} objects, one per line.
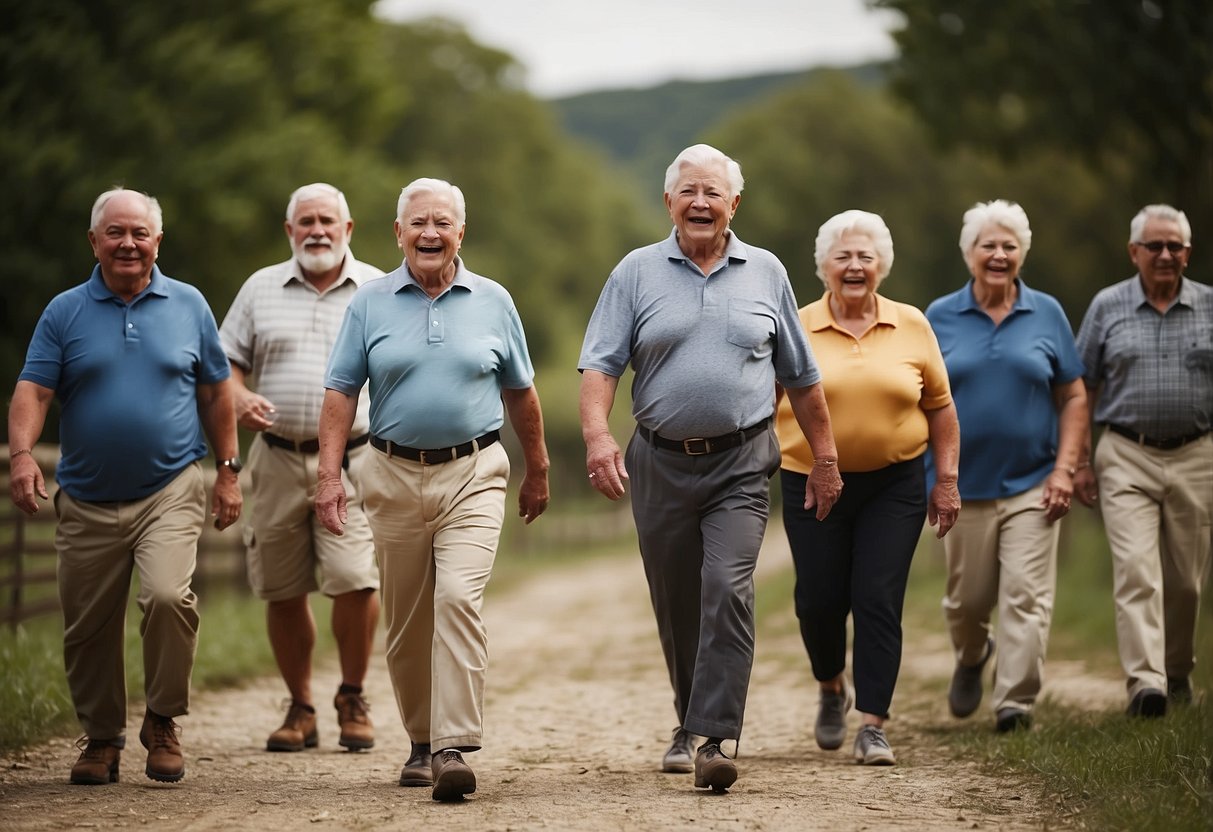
[{"x": 1003, "y": 554}]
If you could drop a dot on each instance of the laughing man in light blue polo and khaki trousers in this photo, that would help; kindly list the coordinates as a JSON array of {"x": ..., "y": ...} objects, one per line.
[{"x": 442, "y": 350}]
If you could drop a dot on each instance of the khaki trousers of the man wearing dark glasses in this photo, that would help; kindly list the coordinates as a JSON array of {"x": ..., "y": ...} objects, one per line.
[{"x": 1157, "y": 508}]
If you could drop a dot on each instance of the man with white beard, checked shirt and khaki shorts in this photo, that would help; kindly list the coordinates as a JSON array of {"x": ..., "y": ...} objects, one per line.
[{"x": 278, "y": 335}]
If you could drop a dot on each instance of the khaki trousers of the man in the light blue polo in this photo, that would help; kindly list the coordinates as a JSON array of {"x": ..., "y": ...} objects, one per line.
[{"x": 436, "y": 535}]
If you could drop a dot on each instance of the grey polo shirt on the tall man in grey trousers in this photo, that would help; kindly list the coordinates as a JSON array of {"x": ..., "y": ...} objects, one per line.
[{"x": 707, "y": 351}]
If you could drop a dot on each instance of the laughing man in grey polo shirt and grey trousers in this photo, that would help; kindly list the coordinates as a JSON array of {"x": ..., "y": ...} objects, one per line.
[{"x": 709, "y": 324}]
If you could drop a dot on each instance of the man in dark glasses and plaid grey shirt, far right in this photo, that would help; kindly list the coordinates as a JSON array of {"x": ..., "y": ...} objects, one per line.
[{"x": 1148, "y": 347}]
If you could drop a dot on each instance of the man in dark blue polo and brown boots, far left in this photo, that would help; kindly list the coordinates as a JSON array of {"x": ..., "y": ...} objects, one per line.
[{"x": 135, "y": 361}]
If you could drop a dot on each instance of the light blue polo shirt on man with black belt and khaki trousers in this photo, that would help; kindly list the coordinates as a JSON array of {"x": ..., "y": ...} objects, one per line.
[{"x": 436, "y": 367}]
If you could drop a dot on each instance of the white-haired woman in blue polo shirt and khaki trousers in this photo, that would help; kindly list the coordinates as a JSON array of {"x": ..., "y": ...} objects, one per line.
[{"x": 1017, "y": 381}]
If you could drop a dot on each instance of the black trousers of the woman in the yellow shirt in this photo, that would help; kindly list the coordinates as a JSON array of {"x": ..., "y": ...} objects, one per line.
[{"x": 857, "y": 562}]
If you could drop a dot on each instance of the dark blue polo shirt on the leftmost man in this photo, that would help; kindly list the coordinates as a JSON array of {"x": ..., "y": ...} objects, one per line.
[{"x": 127, "y": 377}]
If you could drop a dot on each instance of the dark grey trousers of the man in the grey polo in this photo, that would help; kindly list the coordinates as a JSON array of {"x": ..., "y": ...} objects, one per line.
[{"x": 701, "y": 522}]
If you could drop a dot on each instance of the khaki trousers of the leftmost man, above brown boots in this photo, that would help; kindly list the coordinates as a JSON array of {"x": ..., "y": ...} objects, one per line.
[{"x": 100, "y": 545}]
